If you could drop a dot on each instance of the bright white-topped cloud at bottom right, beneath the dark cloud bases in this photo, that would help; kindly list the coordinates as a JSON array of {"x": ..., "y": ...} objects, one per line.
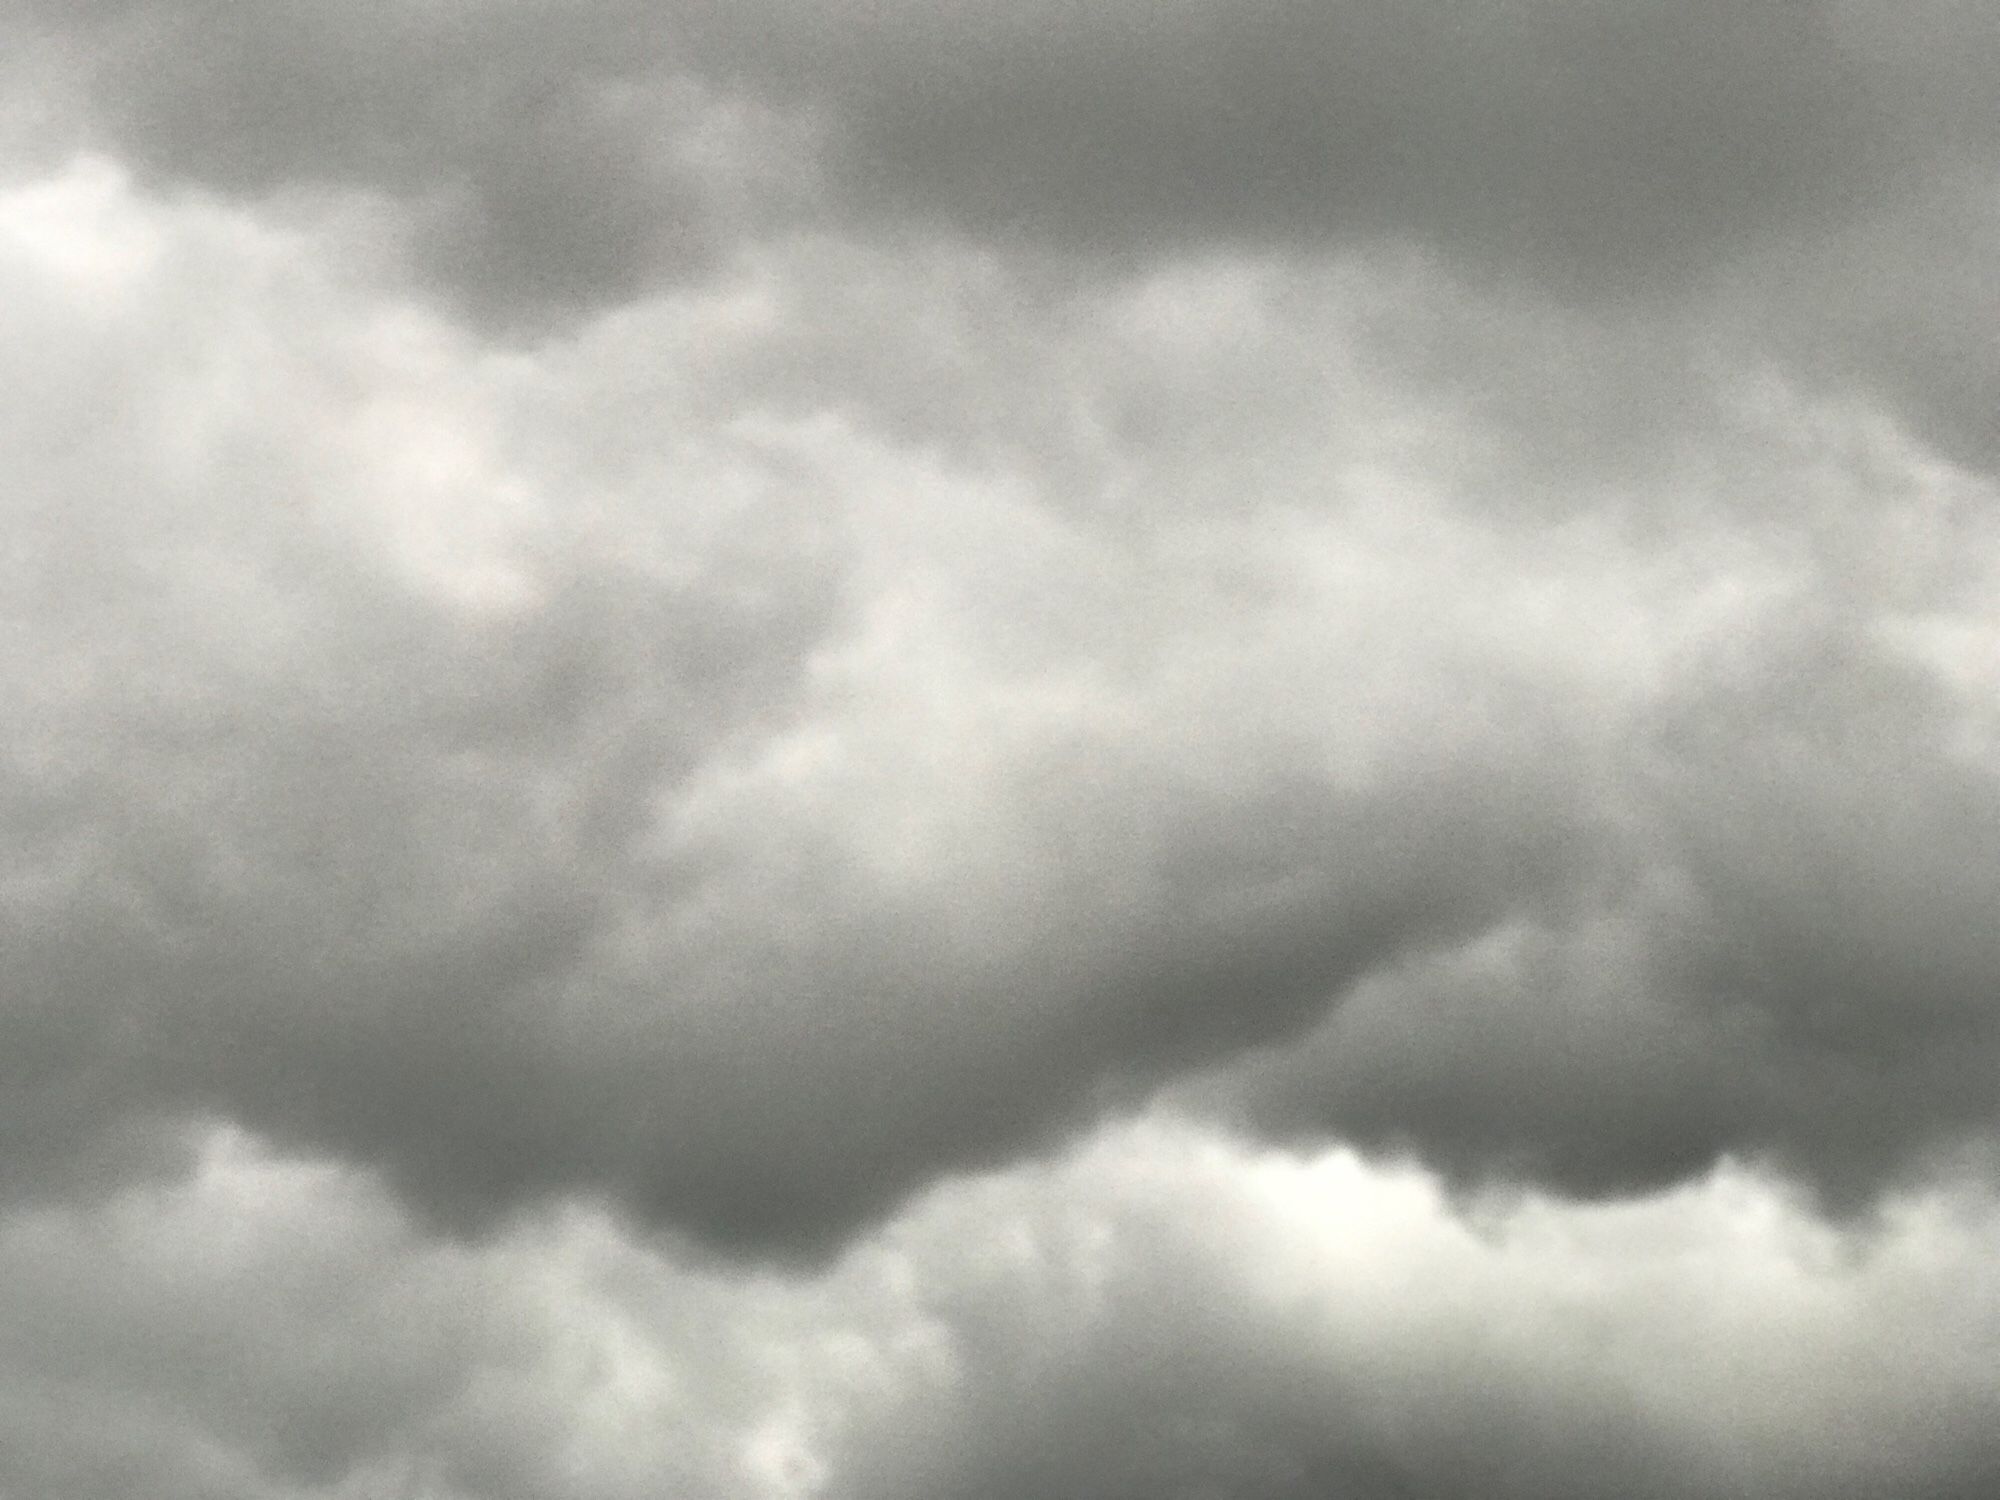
[{"x": 1125, "y": 1341}]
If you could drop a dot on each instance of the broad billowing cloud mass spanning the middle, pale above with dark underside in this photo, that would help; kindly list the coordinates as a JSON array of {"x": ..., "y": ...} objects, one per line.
[{"x": 585, "y": 775}]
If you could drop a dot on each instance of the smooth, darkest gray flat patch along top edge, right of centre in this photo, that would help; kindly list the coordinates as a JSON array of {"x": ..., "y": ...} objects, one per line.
[{"x": 1603, "y": 145}]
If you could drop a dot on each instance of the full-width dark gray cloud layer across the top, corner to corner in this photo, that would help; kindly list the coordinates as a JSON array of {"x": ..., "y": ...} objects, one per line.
[{"x": 1809, "y": 175}]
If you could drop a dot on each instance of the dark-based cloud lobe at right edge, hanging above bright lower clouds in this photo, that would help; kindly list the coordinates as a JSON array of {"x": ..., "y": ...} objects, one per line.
[{"x": 1805, "y": 977}]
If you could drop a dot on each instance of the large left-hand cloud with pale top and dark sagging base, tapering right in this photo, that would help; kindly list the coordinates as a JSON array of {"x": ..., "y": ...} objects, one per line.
[{"x": 661, "y": 871}]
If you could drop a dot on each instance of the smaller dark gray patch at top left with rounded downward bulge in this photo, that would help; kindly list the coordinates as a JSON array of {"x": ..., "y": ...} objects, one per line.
[{"x": 535, "y": 153}]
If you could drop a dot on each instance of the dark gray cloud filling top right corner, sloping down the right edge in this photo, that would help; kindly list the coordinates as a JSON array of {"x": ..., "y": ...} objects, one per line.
[{"x": 1813, "y": 173}]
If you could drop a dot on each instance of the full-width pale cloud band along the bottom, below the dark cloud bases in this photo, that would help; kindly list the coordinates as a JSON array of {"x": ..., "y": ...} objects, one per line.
[{"x": 1165, "y": 1311}]
